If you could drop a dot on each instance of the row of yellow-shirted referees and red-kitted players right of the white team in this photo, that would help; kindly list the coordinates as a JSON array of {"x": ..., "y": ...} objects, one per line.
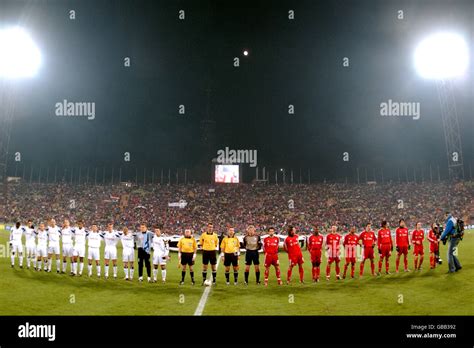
[{"x": 315, "y": 244}]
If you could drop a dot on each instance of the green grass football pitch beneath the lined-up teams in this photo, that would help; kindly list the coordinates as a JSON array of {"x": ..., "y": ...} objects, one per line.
[{"x": 427, "y": 292}]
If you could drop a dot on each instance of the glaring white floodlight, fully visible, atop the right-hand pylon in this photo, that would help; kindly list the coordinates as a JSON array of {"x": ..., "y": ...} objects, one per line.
[{"x": 442, "y": 56}]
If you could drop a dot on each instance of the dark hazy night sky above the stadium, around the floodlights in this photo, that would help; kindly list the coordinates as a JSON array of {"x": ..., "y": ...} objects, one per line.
[{"x": 173, "y": 62}]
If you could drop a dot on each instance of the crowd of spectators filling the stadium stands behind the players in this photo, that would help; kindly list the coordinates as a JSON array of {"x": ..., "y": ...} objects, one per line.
[{"x": 240, "y": 205}]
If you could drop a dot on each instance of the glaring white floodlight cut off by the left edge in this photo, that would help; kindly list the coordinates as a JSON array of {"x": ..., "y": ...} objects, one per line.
[{"x": 19, "y": 56}]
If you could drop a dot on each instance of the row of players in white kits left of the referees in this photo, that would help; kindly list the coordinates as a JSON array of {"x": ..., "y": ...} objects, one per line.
[{"x": 43, "y": 243}]
